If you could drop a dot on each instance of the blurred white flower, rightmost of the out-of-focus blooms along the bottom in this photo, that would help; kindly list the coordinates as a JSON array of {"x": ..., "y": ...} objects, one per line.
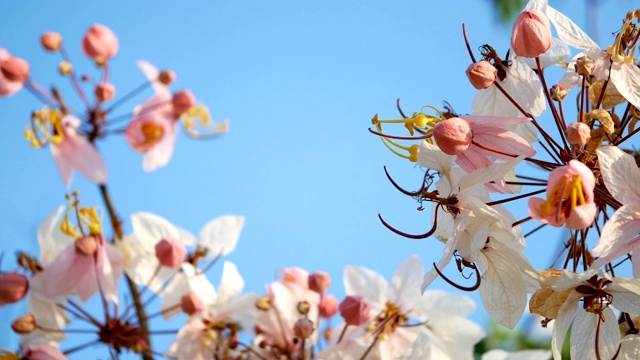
[{"x": 446, "y": 333}]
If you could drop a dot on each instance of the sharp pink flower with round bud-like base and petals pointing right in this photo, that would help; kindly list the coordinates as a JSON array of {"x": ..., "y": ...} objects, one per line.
[{"x": 476, "y": 140}]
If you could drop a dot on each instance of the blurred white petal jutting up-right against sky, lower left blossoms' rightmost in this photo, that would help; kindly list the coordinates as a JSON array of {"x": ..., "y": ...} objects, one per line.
[{"x": 221, "y": 235}]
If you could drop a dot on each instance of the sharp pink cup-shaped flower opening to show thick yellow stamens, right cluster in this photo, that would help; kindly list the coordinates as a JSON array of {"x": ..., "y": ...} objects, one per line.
[{"x": 569, "y": 198}]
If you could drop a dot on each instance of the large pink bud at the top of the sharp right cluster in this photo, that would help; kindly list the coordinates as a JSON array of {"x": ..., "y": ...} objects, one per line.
[{"x": 531, "y": 34}]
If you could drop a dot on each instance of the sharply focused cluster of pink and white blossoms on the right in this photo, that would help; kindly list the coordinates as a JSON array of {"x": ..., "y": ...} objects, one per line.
[{"x": 582, "y": 167}]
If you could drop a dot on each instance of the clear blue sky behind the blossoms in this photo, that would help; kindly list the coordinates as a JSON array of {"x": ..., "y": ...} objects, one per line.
[{"x": 299, "y": 82}]
